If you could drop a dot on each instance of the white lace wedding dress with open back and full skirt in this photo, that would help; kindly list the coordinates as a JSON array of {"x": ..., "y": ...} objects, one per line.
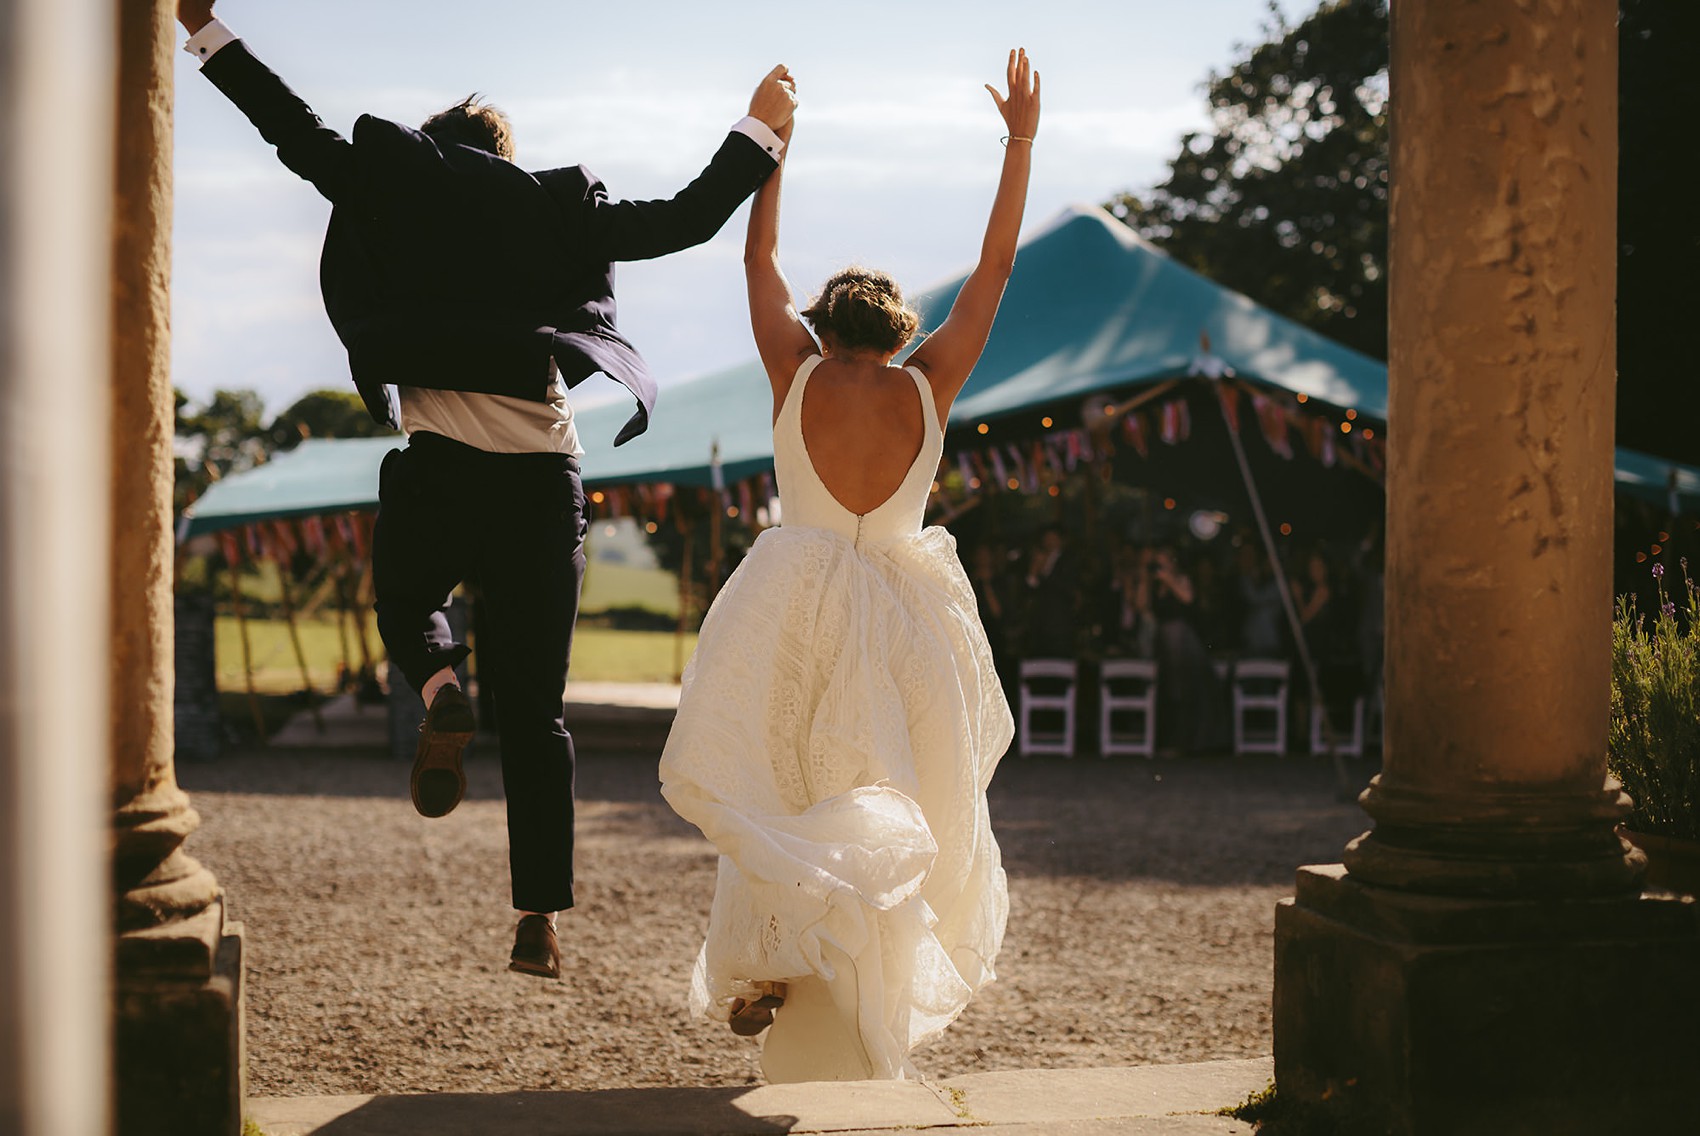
[{"x": 837, "y": 730}]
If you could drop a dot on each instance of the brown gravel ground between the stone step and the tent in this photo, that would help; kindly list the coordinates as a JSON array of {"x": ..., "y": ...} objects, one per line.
[{"x": 1142, "y": 919}]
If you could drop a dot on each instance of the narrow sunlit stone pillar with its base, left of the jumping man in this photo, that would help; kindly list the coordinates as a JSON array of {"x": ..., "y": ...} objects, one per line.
[{"x": 179, "y": 1054}]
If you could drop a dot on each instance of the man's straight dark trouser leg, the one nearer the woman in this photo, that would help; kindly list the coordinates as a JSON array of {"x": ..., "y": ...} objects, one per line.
[{"x": 531, "y": 567}]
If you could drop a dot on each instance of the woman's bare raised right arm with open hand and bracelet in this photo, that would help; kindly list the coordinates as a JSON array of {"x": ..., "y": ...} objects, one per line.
[{"x": 951, "y": 353}]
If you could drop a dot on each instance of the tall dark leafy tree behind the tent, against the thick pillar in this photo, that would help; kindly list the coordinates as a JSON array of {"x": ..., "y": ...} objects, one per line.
[{"x": 1288, "y": 200}]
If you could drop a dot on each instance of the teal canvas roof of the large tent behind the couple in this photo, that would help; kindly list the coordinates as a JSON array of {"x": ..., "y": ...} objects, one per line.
[{"x": 1089, "y": 307}]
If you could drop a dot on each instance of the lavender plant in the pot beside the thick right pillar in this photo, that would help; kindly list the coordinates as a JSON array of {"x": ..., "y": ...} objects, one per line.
[{"x": 1655, "y": 741}]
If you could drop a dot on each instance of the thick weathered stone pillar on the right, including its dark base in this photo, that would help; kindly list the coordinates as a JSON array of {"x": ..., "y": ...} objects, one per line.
[{"x": 1485, "y": 955}]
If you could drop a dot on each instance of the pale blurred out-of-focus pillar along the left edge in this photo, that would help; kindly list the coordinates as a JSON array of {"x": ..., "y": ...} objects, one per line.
[{"x": 55, "y": 251}]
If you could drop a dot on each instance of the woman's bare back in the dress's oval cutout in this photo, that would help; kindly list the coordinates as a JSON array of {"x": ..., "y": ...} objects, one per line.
[{"x": 863, "y": 428}]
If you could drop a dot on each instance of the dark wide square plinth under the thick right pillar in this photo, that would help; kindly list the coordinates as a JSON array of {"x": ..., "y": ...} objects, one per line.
[{"x": 1412, "y": 1014}]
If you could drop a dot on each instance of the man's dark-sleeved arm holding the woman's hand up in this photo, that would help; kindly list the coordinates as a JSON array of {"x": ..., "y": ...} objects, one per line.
[{"x": 640, "y": 230}]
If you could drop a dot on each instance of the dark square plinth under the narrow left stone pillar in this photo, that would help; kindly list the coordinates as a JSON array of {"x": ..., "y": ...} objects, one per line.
[{"x": 181, "y": 1064}]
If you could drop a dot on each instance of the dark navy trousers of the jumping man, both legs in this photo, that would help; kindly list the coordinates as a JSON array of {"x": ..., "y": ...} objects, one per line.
[{"x": 514, "y": 526}]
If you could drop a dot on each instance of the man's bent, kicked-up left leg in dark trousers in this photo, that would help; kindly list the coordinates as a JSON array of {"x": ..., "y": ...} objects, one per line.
[{"x": 419, "y": 559}]
